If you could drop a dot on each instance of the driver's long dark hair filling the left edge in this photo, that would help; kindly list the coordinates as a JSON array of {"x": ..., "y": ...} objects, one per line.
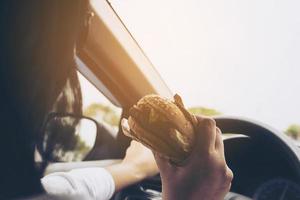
[{"x": 37, "y": 67}]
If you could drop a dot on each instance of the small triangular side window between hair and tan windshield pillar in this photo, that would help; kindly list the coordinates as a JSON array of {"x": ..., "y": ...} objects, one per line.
[{"x": 98, "y": 107}]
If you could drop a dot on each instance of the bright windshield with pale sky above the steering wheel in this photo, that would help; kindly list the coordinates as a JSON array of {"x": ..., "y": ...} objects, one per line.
[{"x": 237, "y": 57}]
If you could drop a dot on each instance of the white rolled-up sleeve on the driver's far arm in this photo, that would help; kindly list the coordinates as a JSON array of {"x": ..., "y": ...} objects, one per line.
[{"x": 90, "y": 183}]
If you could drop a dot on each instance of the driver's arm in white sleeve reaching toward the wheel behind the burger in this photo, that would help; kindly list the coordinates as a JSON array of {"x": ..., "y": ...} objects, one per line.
[{"x": 100, "y": 183}]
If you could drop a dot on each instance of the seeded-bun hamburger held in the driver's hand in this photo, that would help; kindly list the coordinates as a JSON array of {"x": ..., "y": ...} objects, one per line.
[{"x": 163, "y": 125}]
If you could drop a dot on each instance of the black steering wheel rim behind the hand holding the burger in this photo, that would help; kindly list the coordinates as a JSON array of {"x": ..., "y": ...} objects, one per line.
[{"x": 151, "y": 188}]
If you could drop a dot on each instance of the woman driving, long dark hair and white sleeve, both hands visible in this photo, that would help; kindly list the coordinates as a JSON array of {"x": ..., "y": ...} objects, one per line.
[{"x": 38, "y": 45}]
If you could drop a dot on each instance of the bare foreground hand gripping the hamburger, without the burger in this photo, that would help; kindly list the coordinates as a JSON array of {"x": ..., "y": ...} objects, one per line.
[{"x": 205, "y": 174}]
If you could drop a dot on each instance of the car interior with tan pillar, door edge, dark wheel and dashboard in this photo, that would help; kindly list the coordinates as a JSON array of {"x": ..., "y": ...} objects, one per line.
[{"x": 265, "y": 162}]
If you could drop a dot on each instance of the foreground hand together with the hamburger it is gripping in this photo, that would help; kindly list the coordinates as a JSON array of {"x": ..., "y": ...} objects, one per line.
[{"x": 175, "y": 135}]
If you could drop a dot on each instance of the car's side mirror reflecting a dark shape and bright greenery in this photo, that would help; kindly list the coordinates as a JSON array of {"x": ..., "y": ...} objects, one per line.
[{"x": 67, "y": 137}]
